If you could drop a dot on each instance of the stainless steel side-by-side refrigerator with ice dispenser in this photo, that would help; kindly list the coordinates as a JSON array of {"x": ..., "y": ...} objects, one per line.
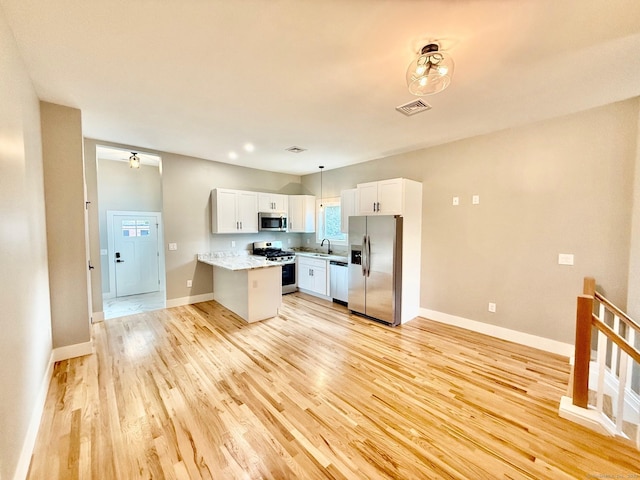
[{"x": 375, "y": 267}]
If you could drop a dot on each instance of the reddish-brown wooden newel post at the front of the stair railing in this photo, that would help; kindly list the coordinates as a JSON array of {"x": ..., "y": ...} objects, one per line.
[{"x": 584, "y": 314}]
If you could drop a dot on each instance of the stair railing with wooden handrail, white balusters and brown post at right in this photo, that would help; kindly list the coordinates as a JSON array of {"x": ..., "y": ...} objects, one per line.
[{"x": 615, "y": 354}]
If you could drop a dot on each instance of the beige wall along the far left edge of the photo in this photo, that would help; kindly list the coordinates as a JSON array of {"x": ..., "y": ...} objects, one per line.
[{"x": 25, "y": 321}]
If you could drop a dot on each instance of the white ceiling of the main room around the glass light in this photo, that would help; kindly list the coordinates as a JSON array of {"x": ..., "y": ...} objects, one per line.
[{"x": 203, "y": 77}]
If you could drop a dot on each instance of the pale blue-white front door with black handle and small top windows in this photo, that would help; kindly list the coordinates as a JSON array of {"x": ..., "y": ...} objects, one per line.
[{"x": 136, "y": 254}]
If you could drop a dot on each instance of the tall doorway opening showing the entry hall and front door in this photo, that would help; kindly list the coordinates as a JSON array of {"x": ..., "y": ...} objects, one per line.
[{"x": 131, "y": 232}]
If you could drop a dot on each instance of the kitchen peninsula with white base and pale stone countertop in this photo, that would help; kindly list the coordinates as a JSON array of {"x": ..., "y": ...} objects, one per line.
[{"x": 248, "y": 286}]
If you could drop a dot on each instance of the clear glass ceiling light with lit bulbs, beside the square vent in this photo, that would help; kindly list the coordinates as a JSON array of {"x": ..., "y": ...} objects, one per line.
[{"x": 430, "y": 72}]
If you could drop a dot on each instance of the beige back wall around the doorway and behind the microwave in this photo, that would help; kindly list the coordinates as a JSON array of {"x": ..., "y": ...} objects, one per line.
[{"x": 186, "y": 212}]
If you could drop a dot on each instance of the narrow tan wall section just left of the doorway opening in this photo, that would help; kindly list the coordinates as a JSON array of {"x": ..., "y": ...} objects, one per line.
[{"x": 65, "y": 204}]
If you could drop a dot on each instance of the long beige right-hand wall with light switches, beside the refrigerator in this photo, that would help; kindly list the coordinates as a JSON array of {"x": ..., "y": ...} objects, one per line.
[{"x": 560, "y": 186}]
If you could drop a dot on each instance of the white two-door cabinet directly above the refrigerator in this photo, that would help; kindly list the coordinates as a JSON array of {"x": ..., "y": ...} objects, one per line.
[{"x": 385, "y": 197}]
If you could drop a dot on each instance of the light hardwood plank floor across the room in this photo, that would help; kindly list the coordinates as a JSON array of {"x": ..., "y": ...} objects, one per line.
[{"x": 194, "y": 392}]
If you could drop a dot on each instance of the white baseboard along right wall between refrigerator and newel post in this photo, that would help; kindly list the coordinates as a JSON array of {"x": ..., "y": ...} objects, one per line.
[{"x": 541, "y": 343}]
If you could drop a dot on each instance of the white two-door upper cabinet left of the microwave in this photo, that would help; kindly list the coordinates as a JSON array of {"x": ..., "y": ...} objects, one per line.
[{"x": 234, "y": 211}]
